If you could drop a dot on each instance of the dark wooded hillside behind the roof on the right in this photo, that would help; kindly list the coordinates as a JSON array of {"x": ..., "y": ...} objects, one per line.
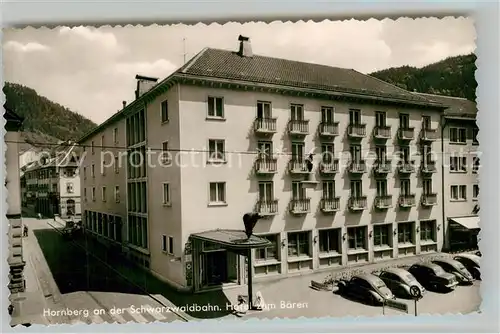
[{"x": 454, "y": 76}]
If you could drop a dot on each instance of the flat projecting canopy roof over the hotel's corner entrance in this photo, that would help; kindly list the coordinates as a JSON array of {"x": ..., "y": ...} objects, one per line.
[{"x": 232, "y": 239}]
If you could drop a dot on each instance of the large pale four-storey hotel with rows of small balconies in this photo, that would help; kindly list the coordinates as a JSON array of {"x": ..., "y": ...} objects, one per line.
[{"x": 234, "y": 132}]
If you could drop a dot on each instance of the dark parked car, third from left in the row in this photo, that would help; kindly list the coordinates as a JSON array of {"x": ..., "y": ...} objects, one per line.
[{"x": 433, "y": 276}]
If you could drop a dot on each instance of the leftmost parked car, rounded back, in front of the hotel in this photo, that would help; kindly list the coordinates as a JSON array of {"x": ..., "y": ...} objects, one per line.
[{"x": 366, "y": 287}]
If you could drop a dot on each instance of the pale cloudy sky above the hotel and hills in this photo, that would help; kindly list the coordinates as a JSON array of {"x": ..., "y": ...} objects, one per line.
[{"x": 91, "y": 71}]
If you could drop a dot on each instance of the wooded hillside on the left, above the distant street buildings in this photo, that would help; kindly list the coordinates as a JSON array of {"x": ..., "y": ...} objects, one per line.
[{"x": 44, "y": 119}]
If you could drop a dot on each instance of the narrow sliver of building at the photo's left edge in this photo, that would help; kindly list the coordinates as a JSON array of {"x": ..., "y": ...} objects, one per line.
[{"x": 16, "y": 259}]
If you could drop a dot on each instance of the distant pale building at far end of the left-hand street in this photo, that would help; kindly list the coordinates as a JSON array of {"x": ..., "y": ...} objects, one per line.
[{"x": 52, "y": 183}]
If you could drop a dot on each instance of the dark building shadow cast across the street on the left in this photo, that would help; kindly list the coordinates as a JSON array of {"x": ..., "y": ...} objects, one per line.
[{"x": 100, "y": 269}]
